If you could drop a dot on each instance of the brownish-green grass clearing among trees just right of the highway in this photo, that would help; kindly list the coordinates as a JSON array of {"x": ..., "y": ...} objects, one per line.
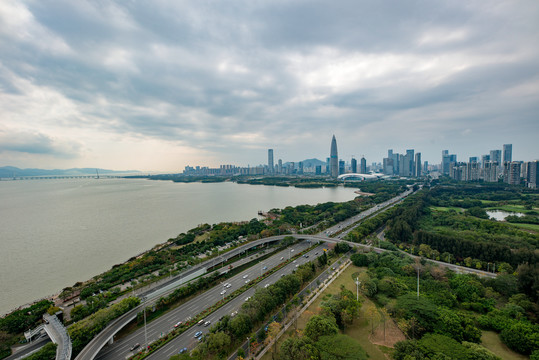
[{"x": 359, "y": 331}]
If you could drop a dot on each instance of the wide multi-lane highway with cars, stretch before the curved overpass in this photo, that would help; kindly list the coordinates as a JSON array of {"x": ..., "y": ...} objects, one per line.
[{"x": 165, "y": 323}]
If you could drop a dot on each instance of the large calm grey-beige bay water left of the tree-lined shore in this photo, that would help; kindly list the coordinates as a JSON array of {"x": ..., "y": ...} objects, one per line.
[{"x": 54, "y": 233}]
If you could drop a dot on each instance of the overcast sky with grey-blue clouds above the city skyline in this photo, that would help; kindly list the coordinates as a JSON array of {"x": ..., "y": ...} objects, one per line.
[{"x": 157, "y": 85}]
